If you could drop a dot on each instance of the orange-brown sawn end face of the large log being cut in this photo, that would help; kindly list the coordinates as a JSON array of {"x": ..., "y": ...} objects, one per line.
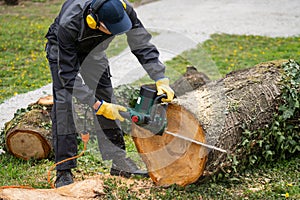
[{"x": 169, "y": 159}]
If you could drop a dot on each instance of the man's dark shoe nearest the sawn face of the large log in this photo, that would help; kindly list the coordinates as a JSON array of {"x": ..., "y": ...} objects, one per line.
[{"x": 126, "y": 167}]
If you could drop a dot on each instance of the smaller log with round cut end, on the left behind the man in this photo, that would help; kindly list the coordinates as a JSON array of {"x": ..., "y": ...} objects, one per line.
[{"x": 28, "y": 134}]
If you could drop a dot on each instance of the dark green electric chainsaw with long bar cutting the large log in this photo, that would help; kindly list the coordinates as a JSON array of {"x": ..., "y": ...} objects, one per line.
[{"x": 150, "y": 113}]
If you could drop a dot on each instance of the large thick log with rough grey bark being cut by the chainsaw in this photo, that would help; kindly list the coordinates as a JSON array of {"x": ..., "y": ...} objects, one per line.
[{"x": 216, "y": 114}]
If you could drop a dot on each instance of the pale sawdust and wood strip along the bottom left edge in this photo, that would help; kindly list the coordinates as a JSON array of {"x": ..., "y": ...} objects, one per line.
[{"x": 91, "y": 188}]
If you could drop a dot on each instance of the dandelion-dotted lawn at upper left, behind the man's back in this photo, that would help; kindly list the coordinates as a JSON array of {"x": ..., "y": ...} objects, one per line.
[{"x": 23, "y": 63}]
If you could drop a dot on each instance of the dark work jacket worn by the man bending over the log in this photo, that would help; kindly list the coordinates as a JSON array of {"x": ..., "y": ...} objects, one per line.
[{"x": 72, "y": 44}]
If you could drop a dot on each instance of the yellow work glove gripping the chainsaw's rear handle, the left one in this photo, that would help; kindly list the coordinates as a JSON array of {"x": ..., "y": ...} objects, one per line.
[{"x": 111, "y": 111}]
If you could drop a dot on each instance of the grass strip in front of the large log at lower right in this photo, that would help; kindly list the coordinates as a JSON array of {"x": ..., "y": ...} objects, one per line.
[{"x": 259, "y": 183}]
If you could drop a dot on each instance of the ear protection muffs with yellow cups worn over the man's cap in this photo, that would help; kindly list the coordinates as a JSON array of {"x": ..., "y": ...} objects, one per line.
[{"x": 92, "y": 18}]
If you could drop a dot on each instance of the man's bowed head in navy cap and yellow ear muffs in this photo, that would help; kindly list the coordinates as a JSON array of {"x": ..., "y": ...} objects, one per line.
[{"x": 111, "y": 14}]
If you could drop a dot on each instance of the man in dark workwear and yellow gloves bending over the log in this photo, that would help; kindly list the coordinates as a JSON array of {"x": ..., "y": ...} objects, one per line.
[{"x": 75, "y": 50}]
